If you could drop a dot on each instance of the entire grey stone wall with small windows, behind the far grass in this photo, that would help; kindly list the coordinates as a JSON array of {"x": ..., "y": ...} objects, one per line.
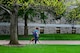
[{"x": 46, "y": 30}]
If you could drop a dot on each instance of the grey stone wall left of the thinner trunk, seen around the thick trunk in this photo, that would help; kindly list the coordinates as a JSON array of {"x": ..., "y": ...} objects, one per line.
[{"x": 4, "y": 30}]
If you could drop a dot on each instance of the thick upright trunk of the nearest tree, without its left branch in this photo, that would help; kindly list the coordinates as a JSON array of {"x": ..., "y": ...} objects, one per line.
[{"x": 14, "y": 28}]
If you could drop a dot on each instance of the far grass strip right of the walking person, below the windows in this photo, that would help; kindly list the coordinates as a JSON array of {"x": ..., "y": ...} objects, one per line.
[{"x": 60, "y": 37}]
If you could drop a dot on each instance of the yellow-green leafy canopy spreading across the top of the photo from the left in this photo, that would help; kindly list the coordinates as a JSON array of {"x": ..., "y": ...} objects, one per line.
[{"x": 57, "y": 6}]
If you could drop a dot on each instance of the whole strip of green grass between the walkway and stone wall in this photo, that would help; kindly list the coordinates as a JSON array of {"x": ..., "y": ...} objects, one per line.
[{"x": 47, "y": 37}]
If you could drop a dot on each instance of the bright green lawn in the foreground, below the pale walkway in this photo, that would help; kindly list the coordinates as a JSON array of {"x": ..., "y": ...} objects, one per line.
[{"x": 41, "y": 49}]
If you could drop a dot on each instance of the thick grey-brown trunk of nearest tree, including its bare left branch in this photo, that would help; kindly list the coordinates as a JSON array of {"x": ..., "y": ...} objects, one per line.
[{"x": 13, "y": 23}]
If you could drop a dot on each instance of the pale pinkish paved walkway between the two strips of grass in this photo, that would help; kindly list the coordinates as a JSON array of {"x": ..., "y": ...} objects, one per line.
[{"x": 44, "y": 42}]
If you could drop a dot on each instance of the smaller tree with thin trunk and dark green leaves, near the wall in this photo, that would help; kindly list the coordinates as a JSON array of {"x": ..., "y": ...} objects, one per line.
[{"x": 32, "y": 13}]
